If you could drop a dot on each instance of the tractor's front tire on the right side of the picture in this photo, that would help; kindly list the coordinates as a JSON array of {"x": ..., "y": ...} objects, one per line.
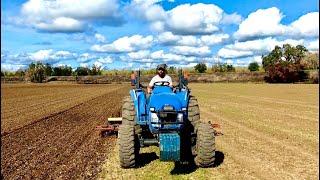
[{"x": 205, "y": 146}]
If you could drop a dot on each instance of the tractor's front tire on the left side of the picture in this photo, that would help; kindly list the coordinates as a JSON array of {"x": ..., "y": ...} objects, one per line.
[{"x": 128, "y": 146}]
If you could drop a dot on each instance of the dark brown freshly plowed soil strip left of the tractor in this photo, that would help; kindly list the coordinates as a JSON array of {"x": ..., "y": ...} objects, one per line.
[{"x": 65, "y": 145}]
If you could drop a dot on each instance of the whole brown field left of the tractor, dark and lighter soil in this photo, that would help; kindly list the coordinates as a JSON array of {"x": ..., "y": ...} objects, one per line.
[{"x": 48, "y": 130}]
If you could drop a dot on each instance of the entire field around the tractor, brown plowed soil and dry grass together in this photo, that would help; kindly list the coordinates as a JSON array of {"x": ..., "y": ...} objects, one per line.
[{"x": 271, "y": 131}]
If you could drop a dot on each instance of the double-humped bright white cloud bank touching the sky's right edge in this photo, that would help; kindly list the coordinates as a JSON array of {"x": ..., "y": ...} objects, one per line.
[{"x": 267, "y": 23}]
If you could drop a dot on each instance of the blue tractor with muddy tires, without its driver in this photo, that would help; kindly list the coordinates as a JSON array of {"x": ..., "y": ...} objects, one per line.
[{"x": 168, "y": 118}]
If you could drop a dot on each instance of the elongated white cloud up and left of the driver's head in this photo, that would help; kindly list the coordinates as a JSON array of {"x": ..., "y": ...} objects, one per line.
[{"x": 125, "y": 44}]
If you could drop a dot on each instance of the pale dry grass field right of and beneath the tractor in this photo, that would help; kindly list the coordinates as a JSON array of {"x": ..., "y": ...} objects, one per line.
[{"x": 271, "y": 131}]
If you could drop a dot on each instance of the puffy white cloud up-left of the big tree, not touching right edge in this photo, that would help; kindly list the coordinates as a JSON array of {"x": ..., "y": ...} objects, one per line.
[{"x": 263, "y": 22}]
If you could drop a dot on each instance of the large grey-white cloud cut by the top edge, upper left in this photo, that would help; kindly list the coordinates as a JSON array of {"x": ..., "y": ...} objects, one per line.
[{"x": 68, "y": 15}]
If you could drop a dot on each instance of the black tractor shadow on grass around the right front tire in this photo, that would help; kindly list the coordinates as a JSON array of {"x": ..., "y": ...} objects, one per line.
[{"x": 187, "y": 168}]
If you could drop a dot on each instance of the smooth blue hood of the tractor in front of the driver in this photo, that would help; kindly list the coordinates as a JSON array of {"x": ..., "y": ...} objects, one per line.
[{"x": 158, "y": 101}]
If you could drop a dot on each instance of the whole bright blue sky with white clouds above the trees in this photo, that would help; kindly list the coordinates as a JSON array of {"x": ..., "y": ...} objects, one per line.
[{"x": 135, "y": 34}]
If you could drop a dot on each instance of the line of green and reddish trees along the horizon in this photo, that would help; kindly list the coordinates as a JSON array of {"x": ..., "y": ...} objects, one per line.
[{"x": 284, "y": 64}]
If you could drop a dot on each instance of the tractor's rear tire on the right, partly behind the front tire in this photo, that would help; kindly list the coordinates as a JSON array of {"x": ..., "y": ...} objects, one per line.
[{"x": 193, "y": 111}]
